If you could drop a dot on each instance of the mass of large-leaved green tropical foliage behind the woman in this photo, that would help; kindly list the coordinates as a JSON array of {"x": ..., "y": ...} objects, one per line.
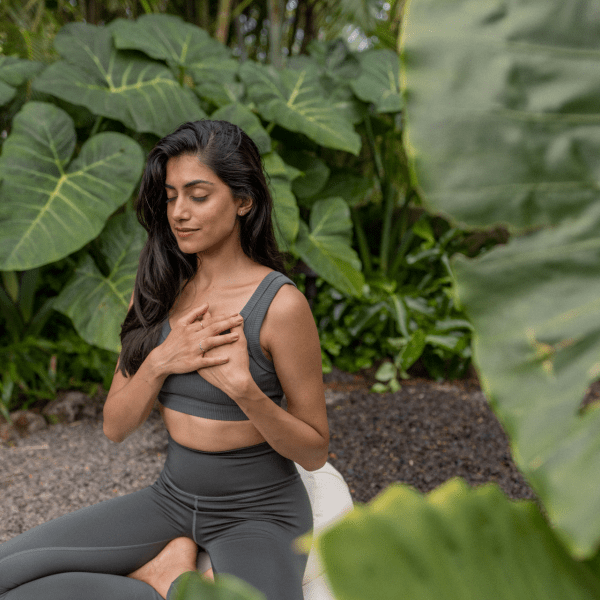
[{"x": 329, "y": 131}]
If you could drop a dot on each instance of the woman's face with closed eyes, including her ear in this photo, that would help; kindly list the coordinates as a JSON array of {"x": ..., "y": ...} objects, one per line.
[{"x": 201, "y": 210}]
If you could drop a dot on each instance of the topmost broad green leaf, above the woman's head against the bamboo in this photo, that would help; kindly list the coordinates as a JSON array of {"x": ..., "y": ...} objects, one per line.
[{"x": 182, "y": 45}]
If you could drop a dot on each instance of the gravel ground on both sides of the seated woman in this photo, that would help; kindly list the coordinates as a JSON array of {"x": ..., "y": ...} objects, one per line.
[{"x": 422, "y": 435}]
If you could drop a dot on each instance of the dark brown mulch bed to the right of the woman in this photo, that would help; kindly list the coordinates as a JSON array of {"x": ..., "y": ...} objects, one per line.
[{"x": 424, "y": 434}]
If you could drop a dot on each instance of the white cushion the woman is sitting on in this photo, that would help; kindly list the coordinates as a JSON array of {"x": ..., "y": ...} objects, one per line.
[{"x": 330, "y": 500}]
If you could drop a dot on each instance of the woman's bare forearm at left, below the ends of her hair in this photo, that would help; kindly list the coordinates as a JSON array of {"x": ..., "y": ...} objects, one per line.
[{"x": 128, "y": 407}]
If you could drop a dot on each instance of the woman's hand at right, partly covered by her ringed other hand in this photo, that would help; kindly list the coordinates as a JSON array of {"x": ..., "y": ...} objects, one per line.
[{"x": 234, "y": 375}]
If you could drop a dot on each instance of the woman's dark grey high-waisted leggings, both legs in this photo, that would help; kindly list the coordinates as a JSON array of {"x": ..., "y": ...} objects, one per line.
[{"x": 244, "y": 507}]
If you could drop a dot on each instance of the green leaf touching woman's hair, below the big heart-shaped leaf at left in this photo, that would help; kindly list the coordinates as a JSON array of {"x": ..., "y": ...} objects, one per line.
[{"x": 97, "y": 303}]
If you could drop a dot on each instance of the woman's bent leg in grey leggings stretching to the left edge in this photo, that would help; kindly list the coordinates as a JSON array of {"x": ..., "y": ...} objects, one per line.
[{"x": 94, "y": 548}]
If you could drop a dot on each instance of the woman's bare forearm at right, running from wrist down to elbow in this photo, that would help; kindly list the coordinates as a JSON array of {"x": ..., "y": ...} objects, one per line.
[{"x": 285, "y": 433}]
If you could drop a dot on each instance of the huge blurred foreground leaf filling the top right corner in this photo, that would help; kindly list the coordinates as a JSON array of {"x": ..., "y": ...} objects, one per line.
[{"x": 502, "y": 107}]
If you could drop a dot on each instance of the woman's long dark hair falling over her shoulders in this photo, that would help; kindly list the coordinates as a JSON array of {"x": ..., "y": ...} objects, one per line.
[{"x": 164, "y": 270}]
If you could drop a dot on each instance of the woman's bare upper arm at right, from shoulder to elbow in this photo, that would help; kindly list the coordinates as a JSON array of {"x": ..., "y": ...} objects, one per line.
[{"x": 291, "y": 337}]
